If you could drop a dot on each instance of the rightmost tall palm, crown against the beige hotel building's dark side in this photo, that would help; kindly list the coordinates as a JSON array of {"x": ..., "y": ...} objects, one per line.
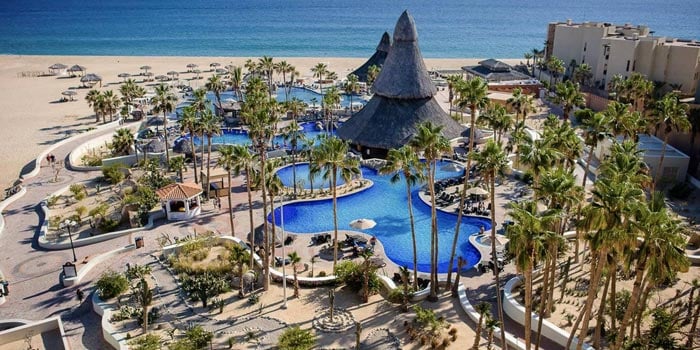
[{"x": 674, "y": 115}]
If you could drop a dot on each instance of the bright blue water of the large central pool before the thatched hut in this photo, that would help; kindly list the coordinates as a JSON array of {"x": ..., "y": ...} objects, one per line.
[{"x": 386, "y": 204}]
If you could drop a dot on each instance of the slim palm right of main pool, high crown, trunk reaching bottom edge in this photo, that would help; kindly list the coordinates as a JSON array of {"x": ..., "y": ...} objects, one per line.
[{"x": 492, "y": 161}]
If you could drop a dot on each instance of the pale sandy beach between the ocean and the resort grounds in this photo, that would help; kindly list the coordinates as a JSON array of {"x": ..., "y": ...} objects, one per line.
[{"x": 32, "y": 117}]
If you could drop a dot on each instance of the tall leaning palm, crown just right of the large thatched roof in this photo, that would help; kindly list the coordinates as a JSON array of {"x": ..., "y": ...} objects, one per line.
[{"x": 473, "y": 93}]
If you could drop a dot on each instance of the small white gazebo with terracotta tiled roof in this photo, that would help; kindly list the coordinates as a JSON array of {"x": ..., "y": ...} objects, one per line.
[{"x": 180, "y": 201}]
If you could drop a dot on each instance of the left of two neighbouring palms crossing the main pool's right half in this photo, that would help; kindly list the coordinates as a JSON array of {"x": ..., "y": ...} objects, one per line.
[{"x": 404, "y": 161}]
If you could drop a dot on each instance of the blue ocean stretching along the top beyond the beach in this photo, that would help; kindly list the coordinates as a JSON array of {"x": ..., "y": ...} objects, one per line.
[{"x": 312, "y": 28}]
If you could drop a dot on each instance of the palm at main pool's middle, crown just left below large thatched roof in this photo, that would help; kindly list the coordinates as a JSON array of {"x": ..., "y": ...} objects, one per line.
[{"x": 332, "y": 156}]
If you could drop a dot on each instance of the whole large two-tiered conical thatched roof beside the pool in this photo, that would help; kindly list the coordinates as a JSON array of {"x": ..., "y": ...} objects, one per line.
[{"x": 403, "y": 99}]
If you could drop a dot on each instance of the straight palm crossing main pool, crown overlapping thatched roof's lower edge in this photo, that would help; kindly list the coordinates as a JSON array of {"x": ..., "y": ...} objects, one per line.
[{"x": 432, "y": 144}]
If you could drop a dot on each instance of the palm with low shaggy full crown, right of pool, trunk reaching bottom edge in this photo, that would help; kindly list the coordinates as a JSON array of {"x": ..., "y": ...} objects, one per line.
[{"x": 528, "y": 246}]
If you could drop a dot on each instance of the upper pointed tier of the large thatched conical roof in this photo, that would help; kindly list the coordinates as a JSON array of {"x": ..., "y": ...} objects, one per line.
[{"x": 404, "y": 74}]
